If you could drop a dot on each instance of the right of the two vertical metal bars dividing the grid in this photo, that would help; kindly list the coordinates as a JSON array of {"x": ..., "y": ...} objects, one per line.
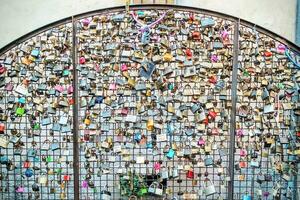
[{"x": 233, "y": 110}]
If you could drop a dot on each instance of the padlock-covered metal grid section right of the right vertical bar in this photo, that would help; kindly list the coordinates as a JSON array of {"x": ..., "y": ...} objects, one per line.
[{"x": 266, "y": 141}]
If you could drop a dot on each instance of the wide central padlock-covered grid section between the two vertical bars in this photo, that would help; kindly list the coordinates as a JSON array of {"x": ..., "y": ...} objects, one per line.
[{"x": 92, "y": 47}]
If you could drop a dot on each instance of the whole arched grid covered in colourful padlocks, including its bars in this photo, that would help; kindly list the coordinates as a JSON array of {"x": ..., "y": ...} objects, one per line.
[{"x": 200, "y": 92}]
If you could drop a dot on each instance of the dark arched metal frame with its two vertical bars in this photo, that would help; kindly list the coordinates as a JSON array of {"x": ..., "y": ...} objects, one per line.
[{"x": 75, "y": 18}]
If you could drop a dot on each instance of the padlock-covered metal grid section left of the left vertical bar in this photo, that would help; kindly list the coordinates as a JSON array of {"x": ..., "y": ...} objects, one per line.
[{"x": 29, "y": 168}]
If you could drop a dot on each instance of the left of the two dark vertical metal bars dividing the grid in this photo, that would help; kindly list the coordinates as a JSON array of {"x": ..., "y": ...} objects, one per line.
[{"x": 75, "y": 114}]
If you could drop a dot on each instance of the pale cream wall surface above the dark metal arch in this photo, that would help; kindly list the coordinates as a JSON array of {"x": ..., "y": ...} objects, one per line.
[{"x": 20, "y": 17}]
